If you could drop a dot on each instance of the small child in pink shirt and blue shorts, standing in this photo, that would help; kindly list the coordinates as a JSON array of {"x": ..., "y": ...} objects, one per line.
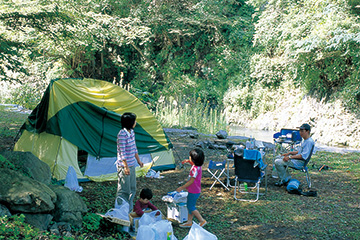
[{"x": 193, "y": 186}]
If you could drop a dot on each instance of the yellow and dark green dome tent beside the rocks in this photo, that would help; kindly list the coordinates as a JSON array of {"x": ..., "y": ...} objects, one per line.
[{"x": 84, "y": 114}]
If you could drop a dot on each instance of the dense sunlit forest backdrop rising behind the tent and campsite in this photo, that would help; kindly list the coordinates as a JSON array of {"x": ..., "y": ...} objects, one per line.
[{"x": 247, "y": 59}]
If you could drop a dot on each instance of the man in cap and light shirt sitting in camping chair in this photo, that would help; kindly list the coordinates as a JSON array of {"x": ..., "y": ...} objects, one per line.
[{"x": 294, "y": 158}]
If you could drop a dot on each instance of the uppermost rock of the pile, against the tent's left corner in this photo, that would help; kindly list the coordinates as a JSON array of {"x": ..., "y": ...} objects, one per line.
[{"x": 30, "y": 165}]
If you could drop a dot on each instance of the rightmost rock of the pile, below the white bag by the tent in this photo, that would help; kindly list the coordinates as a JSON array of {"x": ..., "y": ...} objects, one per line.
[{"x": 69, "y": 206}]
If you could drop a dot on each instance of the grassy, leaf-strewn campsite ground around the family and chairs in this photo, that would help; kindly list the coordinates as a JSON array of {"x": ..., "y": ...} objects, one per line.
[{"x": 333, "y": 214}]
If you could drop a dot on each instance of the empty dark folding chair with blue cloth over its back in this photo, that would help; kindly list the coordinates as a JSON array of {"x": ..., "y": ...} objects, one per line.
[{"x": 248, "y": 170}]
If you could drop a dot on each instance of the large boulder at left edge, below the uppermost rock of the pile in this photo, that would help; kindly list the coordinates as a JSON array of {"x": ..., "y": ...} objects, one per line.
[{"x": 23, "y": 194}]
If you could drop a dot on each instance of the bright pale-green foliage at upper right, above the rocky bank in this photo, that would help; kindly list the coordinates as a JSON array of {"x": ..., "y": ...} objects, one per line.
[{"x": 313, "y": 43}]
